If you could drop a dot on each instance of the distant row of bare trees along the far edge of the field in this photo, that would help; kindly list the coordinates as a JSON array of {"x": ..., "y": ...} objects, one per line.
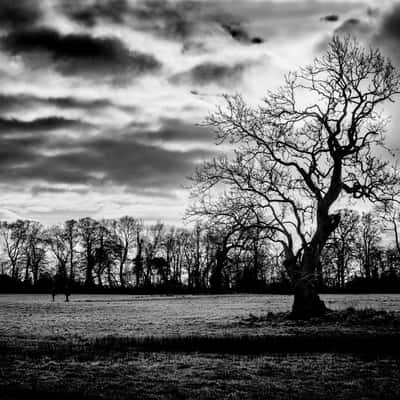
[{"x": 363, "y": 253}]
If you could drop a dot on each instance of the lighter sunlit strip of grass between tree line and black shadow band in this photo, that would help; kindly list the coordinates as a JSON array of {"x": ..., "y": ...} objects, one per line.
[{"x": 95, "y": 316}]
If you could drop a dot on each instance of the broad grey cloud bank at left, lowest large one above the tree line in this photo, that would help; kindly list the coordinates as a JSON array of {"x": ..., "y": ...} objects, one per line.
[{"x": 98, "y": 161}]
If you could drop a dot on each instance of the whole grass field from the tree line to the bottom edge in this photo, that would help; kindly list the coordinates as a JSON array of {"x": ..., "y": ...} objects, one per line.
[{"x": 196, "y": 347}]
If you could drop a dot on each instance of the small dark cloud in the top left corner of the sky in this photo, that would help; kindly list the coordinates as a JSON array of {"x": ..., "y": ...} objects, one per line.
[{"x": 19, "y": 13}]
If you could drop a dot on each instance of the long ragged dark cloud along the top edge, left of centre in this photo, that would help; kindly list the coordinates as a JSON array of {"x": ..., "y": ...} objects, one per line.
[{"x": 172, "y": 19}]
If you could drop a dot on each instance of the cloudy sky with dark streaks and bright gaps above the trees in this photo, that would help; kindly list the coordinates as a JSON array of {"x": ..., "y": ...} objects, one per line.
[{"x": 102, "y": 101}]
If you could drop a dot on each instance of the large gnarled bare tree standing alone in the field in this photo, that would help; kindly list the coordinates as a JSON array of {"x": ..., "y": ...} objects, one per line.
[{"x": 310, "y": 142}]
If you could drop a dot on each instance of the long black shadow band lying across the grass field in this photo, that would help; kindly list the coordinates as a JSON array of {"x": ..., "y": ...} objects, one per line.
[{"x": 244, "y": 344}]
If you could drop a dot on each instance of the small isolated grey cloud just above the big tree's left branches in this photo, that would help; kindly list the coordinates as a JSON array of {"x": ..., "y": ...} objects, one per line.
[{"x": 204, "y": 74}]
